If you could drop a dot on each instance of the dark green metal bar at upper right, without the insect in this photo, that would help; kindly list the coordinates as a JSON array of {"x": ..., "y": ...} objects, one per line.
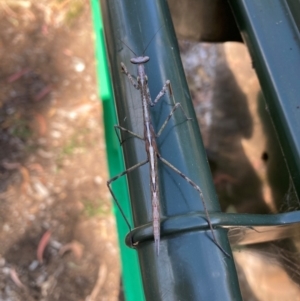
[{"x": 271, "y": 31}]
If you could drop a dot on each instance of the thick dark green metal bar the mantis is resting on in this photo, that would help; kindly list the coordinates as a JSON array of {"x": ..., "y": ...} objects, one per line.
[{"x": 190, "y": 266}]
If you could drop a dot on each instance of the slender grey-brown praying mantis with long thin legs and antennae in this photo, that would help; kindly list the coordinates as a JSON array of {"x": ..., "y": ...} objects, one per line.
[{"x": 151, "y": 147}]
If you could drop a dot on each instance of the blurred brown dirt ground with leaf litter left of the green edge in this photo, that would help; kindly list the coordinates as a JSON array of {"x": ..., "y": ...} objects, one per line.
[{"x": 57, "y": 232}]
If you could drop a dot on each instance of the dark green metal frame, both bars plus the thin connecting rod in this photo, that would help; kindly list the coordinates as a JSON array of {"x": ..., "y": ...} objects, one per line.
[{"x": 190, "y": 266}]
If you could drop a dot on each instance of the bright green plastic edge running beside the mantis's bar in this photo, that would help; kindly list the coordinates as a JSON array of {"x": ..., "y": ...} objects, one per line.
[{"x": 131, "y": 276}]
